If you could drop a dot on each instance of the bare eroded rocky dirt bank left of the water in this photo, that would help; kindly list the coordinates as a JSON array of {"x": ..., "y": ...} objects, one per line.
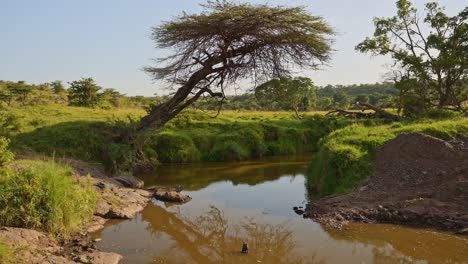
[{"x": 120, "y": 199}]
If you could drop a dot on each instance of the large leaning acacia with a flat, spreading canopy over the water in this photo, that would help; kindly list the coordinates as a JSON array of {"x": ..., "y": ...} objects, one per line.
[{"x": 228, "y": 42}]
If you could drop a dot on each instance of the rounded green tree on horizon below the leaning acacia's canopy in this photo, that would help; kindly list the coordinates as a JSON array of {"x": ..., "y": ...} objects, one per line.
[{"x": 296, "y": 94}]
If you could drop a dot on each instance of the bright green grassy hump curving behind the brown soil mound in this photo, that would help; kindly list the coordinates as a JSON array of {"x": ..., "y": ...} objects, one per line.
[{"x": 345, "y": 157}]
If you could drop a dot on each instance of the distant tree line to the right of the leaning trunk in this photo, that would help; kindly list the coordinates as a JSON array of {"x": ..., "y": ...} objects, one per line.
[{"x": 307, "y": 99}]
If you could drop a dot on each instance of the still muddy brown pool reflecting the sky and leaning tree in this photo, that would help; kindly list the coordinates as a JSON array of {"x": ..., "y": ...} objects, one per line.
[{"x": 253, "y": 202}]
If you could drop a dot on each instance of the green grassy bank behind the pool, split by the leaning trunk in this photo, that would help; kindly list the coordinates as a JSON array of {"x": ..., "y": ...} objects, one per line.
[{"x": 96, "y": 134}]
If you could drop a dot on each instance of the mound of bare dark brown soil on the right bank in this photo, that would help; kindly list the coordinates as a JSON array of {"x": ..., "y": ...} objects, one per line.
[{"x": 418, "y": 180}]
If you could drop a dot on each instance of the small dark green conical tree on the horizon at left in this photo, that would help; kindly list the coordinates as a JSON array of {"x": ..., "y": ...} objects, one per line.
[{"x": 84, "y": 92}]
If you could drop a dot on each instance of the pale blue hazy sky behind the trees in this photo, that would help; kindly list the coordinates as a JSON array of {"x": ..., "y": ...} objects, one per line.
[{"x": 108, "y": 40}]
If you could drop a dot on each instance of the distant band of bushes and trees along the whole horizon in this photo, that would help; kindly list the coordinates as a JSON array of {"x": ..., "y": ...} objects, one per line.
[{"x": 297, "y": 94}]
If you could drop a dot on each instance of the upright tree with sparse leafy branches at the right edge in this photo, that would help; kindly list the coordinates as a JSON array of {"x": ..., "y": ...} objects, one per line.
[{"x": 433, "y": 65}]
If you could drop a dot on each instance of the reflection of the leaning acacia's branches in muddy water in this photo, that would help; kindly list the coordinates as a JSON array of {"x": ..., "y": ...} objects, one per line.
[{"x": 209, "y": 238}]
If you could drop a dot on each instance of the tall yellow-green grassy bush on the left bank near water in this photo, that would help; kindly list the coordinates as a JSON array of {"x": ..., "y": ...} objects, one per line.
[{"x": 45, "y": 196}]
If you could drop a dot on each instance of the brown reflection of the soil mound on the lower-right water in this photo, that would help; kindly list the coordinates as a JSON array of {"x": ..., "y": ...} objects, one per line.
[{"x": 407, "y": 245}]
